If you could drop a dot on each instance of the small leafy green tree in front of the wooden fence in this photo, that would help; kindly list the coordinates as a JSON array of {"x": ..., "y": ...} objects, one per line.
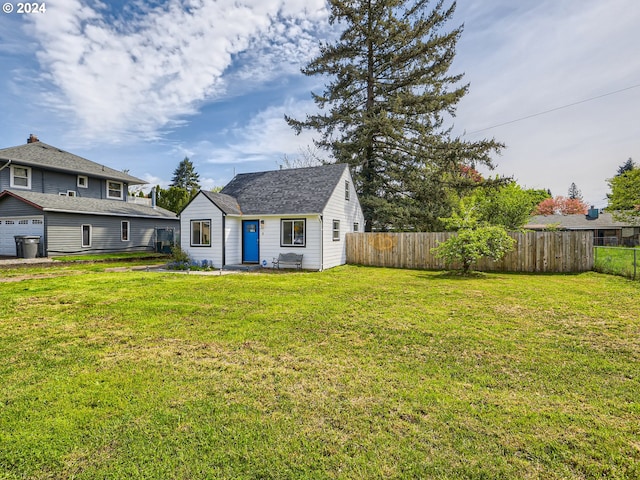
[{"x": 473, "y": 241}]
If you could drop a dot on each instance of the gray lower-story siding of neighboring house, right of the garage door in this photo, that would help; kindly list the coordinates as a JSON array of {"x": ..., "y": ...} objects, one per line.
[{"x": 64, "y": 233}]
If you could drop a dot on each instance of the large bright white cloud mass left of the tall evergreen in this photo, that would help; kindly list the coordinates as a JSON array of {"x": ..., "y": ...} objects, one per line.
[{"x": 139, "y": 75}]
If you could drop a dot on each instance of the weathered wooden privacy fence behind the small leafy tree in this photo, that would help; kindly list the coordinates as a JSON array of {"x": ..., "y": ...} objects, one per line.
[{"x": 560, "y": 252}]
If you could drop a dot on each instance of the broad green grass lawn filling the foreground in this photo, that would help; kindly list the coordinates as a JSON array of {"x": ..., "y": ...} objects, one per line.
[{"x": 350, "y": 373}]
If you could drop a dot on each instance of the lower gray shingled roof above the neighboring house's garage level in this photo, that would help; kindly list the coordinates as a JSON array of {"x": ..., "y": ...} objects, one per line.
[{"x": 89, "y": 206}]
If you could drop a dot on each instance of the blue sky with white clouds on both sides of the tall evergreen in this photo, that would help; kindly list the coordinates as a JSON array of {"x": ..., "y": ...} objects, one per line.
[{"x": 139, "y": 85}]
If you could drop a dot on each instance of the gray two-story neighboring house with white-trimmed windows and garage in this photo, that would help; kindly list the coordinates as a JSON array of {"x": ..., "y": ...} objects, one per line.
[{"x": 74, "y": 205}]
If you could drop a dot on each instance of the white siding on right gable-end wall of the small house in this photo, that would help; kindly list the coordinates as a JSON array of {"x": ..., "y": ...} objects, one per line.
[{"x": 347, "y": 212}]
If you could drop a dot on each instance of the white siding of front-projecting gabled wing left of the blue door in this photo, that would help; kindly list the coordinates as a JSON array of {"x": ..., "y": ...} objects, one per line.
[{"x": 201, "y": 208}]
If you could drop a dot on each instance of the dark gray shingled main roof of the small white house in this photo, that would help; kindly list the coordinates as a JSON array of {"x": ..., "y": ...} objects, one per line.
[{"x": 285, "y": 192}]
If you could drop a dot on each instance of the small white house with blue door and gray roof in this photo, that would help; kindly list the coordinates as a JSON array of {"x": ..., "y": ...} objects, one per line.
[{"x": 258, "y": 216}]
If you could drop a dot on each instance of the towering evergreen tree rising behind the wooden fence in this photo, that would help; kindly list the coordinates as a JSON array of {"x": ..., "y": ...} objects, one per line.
[{"x": 384, "y": 109}]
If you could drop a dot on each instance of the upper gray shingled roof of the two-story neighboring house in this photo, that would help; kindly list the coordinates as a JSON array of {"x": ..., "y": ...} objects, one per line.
[{"x": 39, "y": 154}]
